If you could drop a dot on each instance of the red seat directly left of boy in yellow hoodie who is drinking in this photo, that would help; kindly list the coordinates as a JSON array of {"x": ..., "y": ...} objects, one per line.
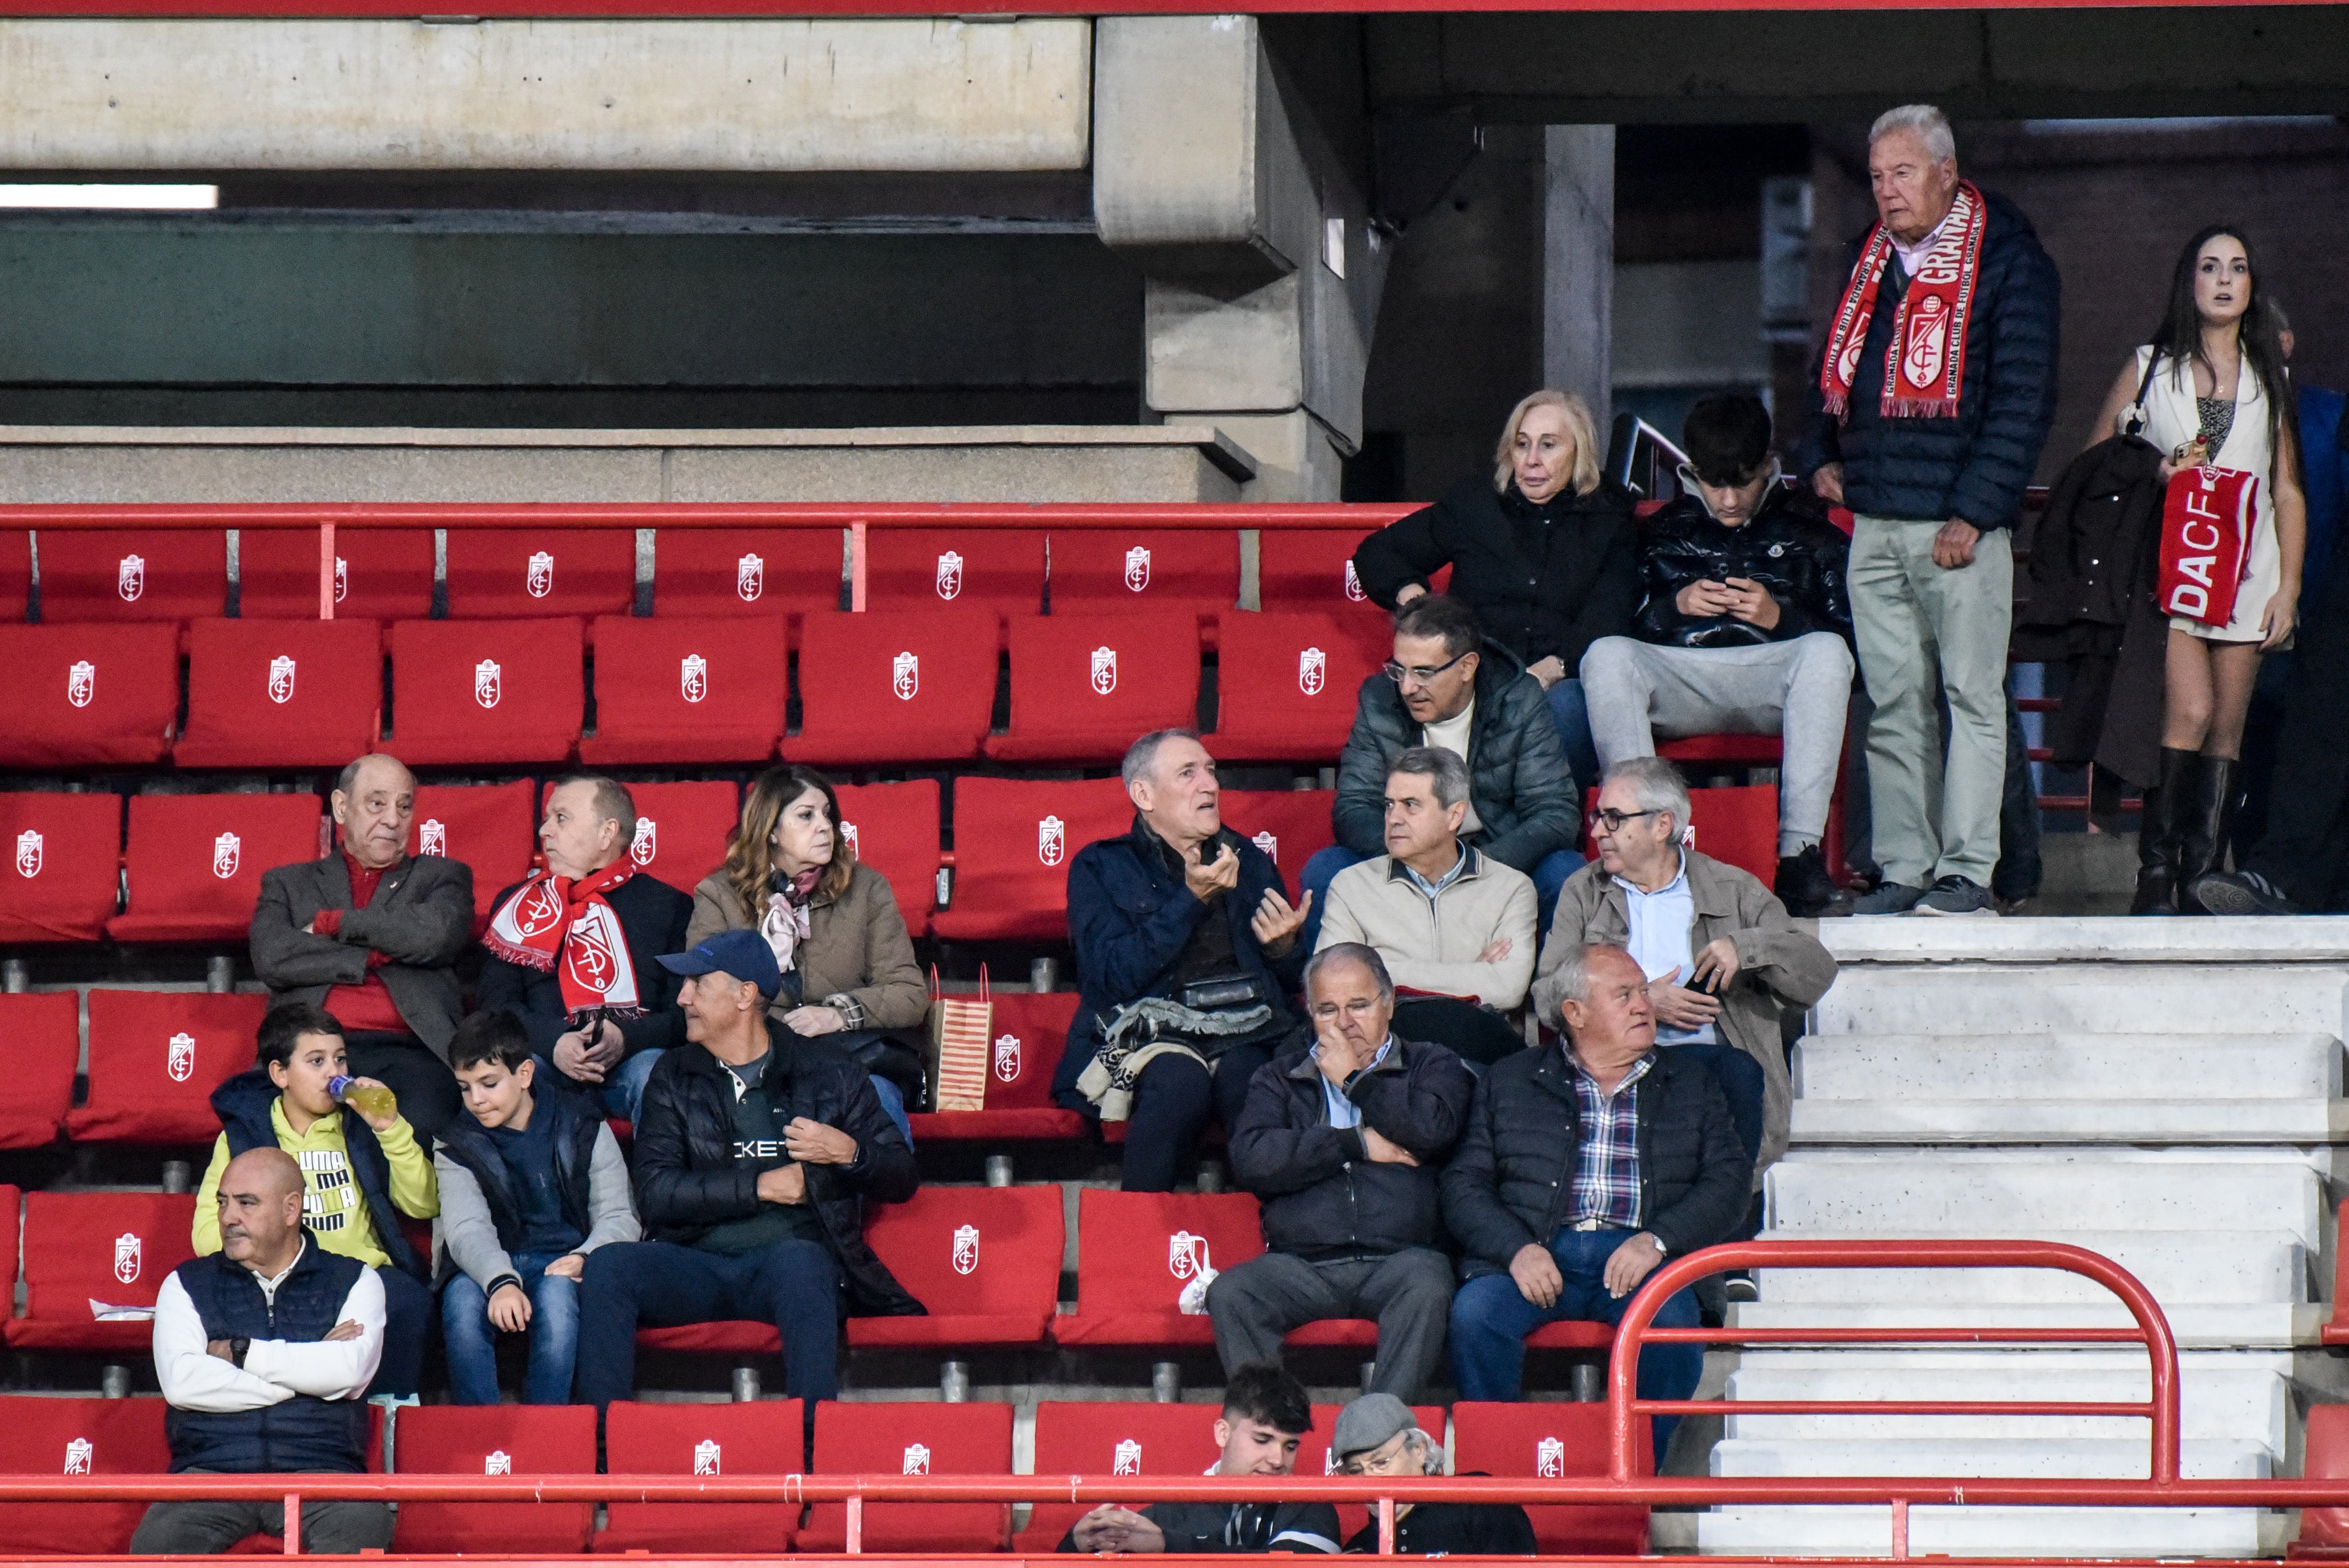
[{"x": 156, "y": 1057}]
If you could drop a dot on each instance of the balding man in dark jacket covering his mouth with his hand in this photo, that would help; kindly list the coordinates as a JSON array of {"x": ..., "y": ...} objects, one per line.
[{"x": 1342, "y": 1142}]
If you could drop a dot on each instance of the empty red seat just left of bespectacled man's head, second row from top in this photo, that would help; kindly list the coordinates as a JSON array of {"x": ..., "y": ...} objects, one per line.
[{"x": 1288, "y": 687}]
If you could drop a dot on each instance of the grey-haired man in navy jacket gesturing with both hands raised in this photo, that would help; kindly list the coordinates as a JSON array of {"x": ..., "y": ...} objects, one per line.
[{"x": 1185, "y": 961}]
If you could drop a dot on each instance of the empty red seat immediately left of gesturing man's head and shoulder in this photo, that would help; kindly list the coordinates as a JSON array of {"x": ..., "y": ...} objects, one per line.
[{"x": 1014, "y": 842}]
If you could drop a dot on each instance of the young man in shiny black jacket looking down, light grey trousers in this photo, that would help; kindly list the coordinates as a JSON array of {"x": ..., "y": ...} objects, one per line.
[{"x": 1744, "y": 630}]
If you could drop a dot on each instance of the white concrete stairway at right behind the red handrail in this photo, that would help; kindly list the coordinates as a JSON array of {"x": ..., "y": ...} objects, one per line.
[{"x": 2165, "y": 1093}]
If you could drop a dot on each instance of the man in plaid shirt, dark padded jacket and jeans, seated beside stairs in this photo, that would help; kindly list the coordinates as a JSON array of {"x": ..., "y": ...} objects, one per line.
[{"x": 1549, "y": 1236}]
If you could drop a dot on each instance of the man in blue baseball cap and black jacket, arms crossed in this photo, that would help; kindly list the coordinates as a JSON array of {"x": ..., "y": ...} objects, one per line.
[{"x": 755, "y": 1156}]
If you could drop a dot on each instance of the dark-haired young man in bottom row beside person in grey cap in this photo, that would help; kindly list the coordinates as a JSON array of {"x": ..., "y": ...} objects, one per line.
[{"x": 1267, "y": 1417}]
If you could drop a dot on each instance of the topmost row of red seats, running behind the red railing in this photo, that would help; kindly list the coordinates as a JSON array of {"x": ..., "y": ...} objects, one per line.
[{"x": 386, "y": 574}]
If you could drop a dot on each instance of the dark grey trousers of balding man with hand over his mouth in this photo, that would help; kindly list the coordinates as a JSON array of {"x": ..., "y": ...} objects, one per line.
[{"x": 1408, "y": 1295}]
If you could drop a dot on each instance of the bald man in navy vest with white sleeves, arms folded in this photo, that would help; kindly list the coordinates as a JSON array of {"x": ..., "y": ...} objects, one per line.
[{"x": 264, "y": 1353}]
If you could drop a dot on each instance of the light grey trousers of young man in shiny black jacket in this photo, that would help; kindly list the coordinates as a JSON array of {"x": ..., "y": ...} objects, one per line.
[{"x": 1798, "y": 689}]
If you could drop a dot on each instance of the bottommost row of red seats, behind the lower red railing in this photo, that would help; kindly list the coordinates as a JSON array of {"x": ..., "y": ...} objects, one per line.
[{"x": 126, "y": 1438}]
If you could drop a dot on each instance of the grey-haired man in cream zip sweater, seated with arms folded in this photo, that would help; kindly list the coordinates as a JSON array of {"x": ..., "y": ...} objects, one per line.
[{"x": 1453, "y": 926}]
